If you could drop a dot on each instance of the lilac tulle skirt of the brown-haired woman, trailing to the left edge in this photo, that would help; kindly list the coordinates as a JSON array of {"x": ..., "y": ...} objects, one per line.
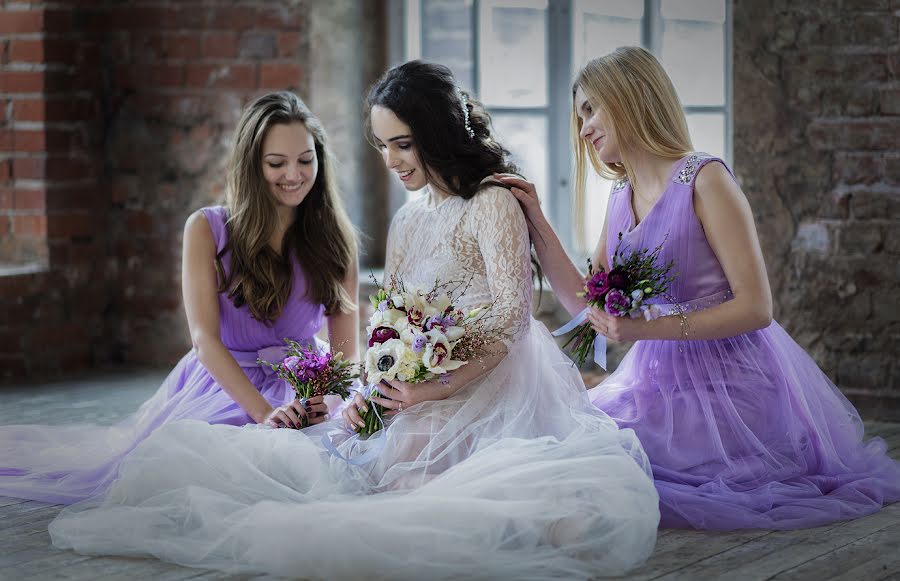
[{"x": 66, "y": 464}]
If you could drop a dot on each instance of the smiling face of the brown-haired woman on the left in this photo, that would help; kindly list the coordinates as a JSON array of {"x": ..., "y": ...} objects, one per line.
[{"x": 289, "y": 164}]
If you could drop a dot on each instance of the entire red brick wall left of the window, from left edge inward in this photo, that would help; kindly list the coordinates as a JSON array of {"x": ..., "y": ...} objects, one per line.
[{"x": 115, "y": 121}]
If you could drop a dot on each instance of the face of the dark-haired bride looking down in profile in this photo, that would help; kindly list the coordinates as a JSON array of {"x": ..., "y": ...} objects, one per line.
[{"x": 398, "y": 150}]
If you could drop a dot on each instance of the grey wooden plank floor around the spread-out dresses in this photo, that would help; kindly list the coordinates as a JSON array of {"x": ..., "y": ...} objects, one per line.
[{"x": 866, "y": 549}]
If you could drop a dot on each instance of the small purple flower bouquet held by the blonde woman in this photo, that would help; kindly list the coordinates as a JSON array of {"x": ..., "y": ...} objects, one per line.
[{"x": 633, "y": 279}]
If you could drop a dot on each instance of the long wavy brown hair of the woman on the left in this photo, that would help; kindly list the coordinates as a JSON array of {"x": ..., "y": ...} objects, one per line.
[{"x": 322, "y": 238}]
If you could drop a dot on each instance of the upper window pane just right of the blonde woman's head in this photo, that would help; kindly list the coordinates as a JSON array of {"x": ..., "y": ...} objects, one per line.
[{"x": 693, "y": 53}]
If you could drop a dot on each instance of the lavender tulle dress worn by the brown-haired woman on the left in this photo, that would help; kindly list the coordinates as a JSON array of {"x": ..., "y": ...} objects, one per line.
[{"x": 65, "y": 464}]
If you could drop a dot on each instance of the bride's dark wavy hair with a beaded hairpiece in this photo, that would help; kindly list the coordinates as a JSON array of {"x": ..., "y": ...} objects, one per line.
[{"x": 425, "y": 96}]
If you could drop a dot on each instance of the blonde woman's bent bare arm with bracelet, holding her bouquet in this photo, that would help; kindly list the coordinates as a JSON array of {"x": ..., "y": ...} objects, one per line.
[{"x": 726, "y": 218}]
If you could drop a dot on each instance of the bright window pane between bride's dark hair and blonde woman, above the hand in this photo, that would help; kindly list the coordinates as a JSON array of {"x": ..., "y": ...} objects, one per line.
[{"x": 525, "y": 135}]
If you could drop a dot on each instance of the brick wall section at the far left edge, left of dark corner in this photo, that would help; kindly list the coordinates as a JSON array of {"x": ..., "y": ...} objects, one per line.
[{"x": 53, "y": 198}]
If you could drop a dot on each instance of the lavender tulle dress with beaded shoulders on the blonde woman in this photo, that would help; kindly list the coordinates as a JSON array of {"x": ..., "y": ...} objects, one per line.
[{"x": 743, "y": 432}]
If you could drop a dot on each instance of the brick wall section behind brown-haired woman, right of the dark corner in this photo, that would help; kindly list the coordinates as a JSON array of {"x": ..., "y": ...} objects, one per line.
[{"x": 182, "y": 73}]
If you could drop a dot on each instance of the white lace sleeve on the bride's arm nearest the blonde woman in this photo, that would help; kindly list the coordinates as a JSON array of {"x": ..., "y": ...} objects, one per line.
[{"x": 498, "y": 225}]
